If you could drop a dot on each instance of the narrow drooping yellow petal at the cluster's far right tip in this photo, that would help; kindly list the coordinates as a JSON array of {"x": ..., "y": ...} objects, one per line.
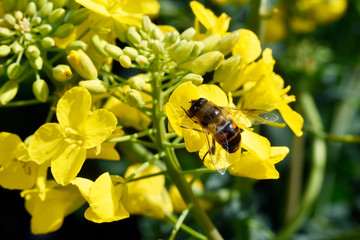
[{"x": 293, "y": 119}]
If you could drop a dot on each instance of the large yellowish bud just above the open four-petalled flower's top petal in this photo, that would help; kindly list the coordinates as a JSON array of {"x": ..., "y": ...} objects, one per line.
[{"x": 82, "y": 64}]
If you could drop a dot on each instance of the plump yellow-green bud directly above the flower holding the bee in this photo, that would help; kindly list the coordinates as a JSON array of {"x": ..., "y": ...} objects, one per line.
[{"x": 207, "y": 62}]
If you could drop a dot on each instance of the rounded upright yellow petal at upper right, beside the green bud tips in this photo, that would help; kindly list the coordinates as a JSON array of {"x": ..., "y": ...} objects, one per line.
[{"x": 248, "y": 46}]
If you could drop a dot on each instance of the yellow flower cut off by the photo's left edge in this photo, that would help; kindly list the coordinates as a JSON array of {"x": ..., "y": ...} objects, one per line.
[{"x": 17, "y": 171}]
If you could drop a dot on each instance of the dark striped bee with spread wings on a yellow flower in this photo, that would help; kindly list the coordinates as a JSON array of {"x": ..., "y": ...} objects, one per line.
[{"x": 221, "y": 131}]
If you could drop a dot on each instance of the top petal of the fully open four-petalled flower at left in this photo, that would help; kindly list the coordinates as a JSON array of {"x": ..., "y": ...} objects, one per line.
[{"x": 73, "y": 107}]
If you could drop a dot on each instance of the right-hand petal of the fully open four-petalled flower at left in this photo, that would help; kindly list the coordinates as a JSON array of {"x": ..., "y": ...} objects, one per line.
[{"x": 97, "y": 127}]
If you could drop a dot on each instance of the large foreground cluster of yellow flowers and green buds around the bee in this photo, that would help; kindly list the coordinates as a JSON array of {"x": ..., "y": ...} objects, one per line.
[{"x": 72, "y": 49}]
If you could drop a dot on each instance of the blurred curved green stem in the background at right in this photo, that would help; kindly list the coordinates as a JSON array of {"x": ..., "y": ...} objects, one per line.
[{"x": 318, "y": 161}]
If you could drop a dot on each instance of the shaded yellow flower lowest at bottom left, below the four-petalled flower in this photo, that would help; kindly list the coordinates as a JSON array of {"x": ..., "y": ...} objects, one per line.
[{"x": 47, "y": 215}]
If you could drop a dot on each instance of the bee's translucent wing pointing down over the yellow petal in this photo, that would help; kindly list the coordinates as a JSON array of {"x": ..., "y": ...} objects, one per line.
[{"x": 218, "y": 155}]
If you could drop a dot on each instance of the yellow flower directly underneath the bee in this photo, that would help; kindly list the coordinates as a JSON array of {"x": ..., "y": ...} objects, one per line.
[{"x": 195, "y": 139}]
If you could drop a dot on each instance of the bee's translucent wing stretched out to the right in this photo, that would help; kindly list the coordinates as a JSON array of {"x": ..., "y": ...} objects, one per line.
[{"x": 256, "y": 116}]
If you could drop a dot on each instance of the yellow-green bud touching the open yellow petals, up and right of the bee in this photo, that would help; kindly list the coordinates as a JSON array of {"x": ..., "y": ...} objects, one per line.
[{"x": 228, "y": 68}]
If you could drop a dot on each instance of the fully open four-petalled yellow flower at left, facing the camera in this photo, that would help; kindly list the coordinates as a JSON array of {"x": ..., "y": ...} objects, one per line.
[{"x": 65, "y": 143}]
